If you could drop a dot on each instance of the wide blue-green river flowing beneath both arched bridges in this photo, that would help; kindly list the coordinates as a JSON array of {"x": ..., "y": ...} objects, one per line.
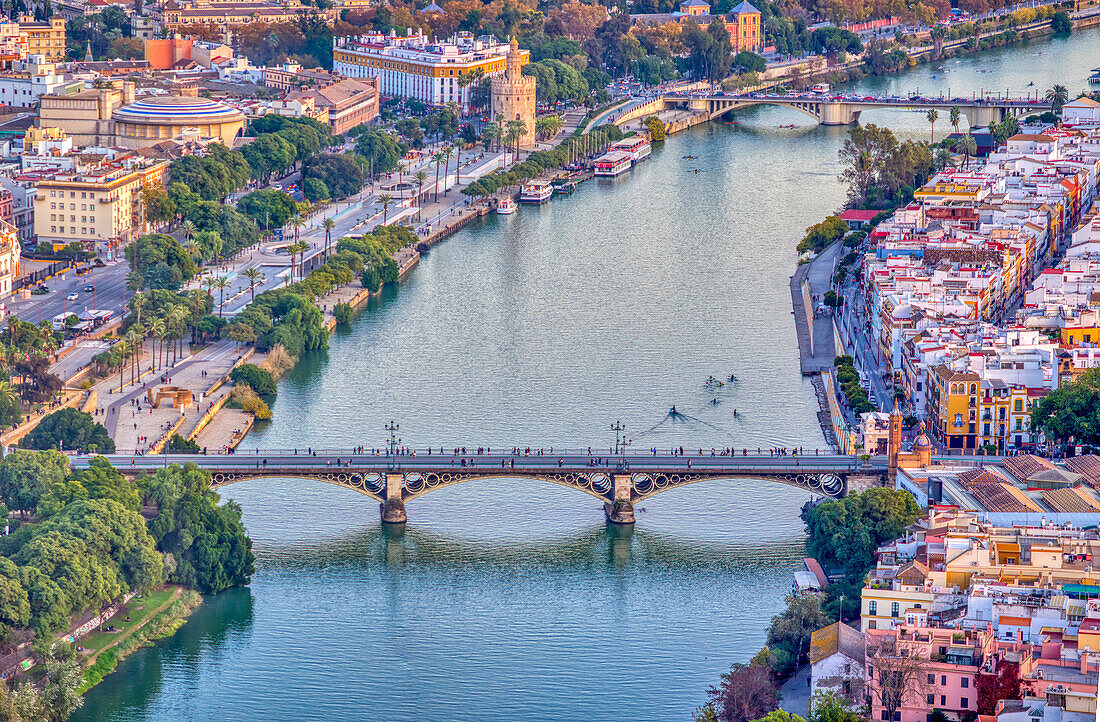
[{"x": 511, "y": 600}]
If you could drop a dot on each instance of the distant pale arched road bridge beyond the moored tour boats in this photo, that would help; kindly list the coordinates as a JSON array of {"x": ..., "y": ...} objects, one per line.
[{"x": 845, "y": 111}]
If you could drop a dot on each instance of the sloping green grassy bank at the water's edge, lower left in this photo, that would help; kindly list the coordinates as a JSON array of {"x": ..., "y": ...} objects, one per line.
[{"x": 151, "y": 618}]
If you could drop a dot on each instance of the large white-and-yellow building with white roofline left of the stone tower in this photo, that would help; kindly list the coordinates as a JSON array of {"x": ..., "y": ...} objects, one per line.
[{"x": 414, "y": 67}]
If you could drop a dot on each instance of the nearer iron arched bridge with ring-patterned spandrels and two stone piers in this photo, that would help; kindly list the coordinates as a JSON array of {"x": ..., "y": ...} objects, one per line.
[{"x": 618, "y": 480}]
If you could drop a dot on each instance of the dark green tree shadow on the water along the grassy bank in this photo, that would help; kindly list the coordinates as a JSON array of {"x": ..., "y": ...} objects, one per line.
[{"x": 204, "y": 641}]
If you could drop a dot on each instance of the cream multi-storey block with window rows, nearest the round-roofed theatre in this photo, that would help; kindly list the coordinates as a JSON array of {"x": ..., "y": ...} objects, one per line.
[{"x": 100, "y": 206}]
